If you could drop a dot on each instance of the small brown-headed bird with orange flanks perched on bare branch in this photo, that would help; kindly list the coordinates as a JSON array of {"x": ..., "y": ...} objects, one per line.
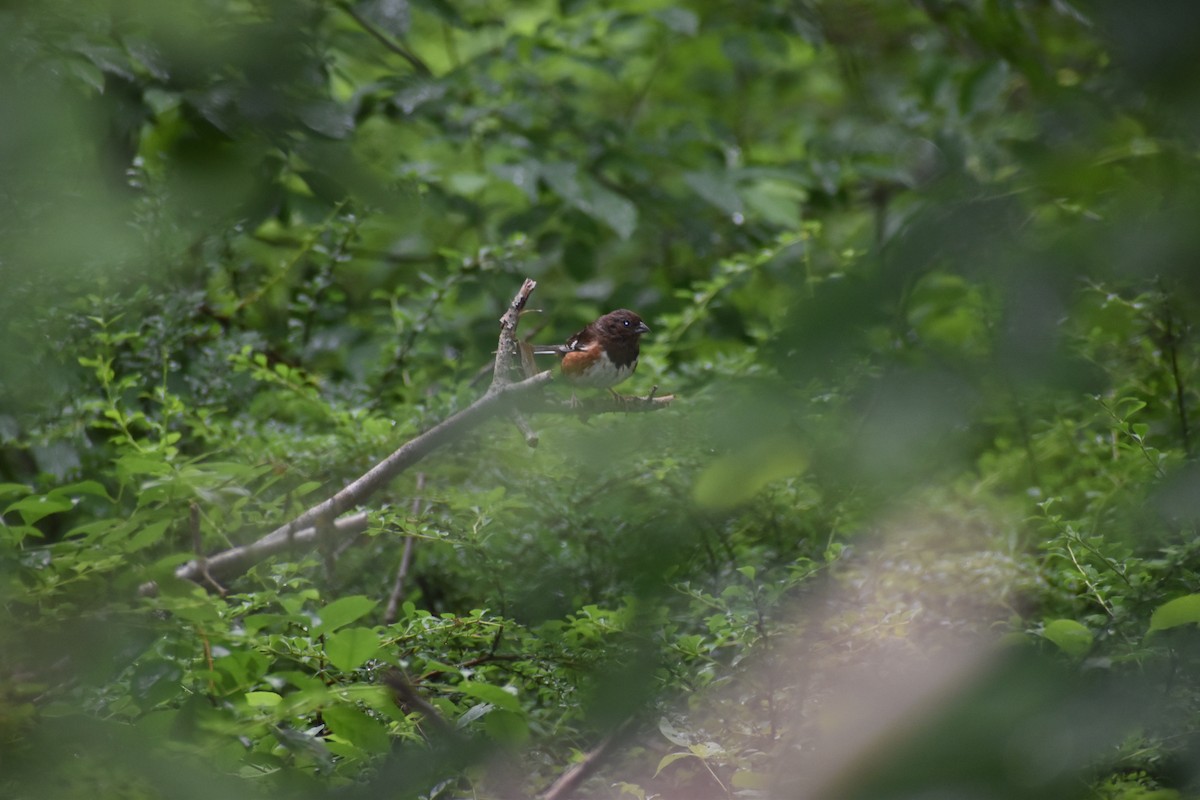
[{"x": 603, "y": 354}]
